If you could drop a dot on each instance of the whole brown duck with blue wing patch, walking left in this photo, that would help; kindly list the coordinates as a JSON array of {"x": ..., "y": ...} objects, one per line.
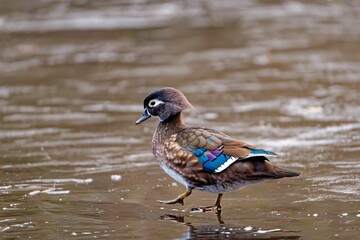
[{"x": 201, "y": 158}]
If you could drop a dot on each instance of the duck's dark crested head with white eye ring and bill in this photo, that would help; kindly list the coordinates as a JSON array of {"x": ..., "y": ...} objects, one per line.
[{"x": 164, "y": 103}]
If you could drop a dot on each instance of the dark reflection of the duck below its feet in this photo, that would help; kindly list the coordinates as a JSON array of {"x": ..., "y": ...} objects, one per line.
[{"x": 223, "y": 230}]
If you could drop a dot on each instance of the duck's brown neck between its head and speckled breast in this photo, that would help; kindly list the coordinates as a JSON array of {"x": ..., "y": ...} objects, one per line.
[{"x": 167, "y": 128}]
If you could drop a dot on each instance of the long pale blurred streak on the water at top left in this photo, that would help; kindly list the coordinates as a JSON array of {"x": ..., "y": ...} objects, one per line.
[{"x": 95, "y": 21}]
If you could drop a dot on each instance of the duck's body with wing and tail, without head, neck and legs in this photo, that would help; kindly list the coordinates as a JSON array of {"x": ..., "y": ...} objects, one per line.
[{"x": 209, "y": 160}]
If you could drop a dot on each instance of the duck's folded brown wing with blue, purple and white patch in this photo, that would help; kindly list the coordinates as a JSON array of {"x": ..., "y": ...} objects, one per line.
[{"x": 214, "y": 150}]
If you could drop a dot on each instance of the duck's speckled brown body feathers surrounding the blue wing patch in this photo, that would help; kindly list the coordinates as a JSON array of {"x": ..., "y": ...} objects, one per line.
[{"x": 187, "y": 165}]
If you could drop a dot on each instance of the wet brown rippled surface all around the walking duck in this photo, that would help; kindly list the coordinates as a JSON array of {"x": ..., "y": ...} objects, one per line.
[{"x": 282, "y": 75}]
